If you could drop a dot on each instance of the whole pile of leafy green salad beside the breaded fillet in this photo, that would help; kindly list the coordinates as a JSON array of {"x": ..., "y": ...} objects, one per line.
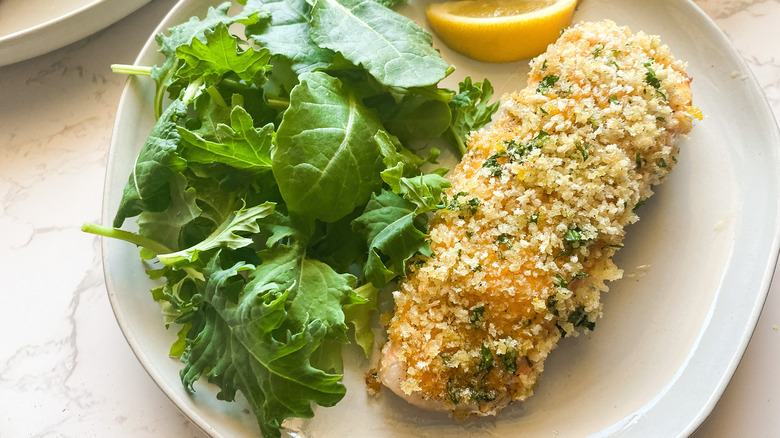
[{"x": 279, "y": 189}]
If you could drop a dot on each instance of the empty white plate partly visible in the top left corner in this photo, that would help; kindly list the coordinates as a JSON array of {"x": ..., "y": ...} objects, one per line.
[{"x": 29, "y": 28}]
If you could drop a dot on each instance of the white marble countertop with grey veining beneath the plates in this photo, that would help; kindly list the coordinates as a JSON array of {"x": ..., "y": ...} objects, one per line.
[{"x": 66, "y": 369}]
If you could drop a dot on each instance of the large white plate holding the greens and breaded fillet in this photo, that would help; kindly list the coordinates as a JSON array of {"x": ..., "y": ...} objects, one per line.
[{"x": 698, "y": 267}]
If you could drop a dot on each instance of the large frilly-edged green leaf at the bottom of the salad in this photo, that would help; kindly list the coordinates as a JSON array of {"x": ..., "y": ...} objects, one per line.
[{"x": 261, "y": 337}]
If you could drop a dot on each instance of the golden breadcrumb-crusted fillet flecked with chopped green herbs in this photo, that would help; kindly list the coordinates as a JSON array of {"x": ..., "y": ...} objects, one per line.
[{"x": 538, "y": 207}]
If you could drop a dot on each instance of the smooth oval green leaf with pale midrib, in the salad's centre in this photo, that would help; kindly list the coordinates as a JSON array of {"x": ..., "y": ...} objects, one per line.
[{"x": 326, "y": 161}]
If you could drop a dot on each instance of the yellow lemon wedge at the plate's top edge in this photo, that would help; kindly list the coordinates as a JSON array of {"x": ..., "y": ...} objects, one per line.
[{"x": 499, "y": 30}]
